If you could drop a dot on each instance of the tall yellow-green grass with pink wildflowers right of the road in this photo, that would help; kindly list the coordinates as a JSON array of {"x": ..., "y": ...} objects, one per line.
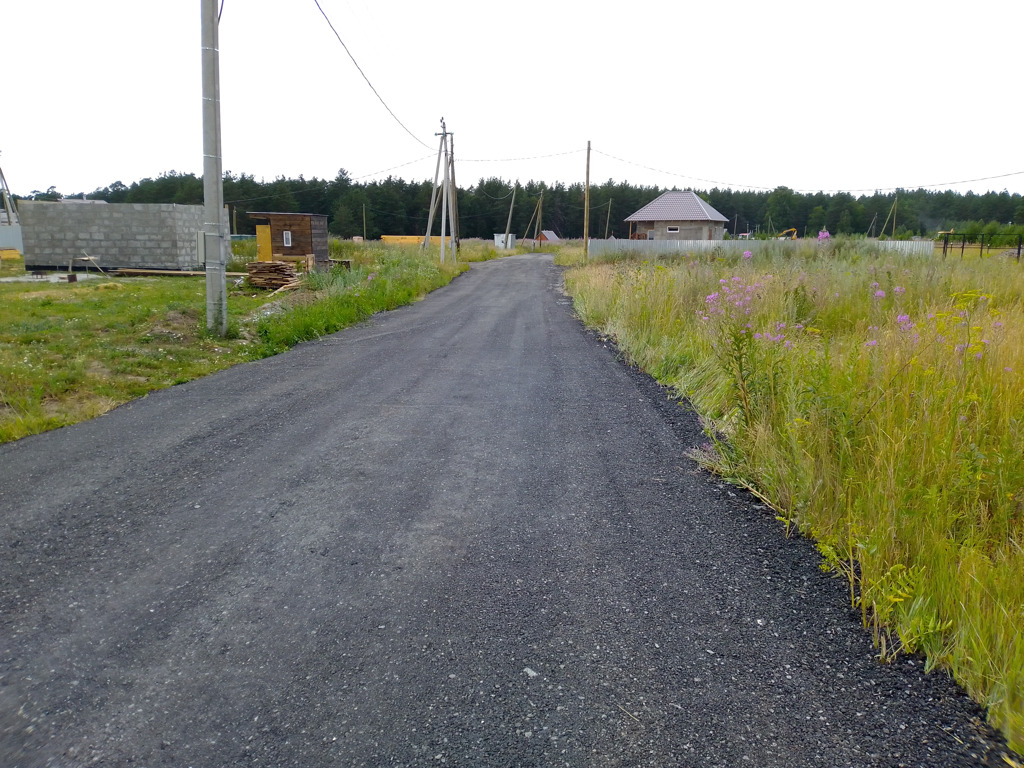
[{"x": 876, "y": 403}]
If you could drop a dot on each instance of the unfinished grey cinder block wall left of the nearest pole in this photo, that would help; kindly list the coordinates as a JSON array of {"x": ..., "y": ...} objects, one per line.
[{"x": 118, "y": 236}]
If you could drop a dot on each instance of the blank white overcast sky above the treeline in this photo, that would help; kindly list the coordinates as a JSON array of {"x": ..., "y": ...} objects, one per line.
[{"x": 814, "y": 96}]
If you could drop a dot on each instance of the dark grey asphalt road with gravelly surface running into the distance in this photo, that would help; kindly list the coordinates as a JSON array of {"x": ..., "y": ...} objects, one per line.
[{"x": 462, "y": 534}]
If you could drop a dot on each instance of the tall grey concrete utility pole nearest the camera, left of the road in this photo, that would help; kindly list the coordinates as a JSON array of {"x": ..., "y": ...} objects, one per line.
[{"x": 212, "y": 237}]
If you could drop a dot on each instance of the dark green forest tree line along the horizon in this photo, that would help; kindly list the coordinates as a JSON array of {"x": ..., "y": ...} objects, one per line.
[{"x": 394, "y": 206}]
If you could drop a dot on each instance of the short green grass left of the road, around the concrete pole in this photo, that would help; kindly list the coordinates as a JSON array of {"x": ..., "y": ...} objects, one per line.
[{"x": 72, "y": 352}]
